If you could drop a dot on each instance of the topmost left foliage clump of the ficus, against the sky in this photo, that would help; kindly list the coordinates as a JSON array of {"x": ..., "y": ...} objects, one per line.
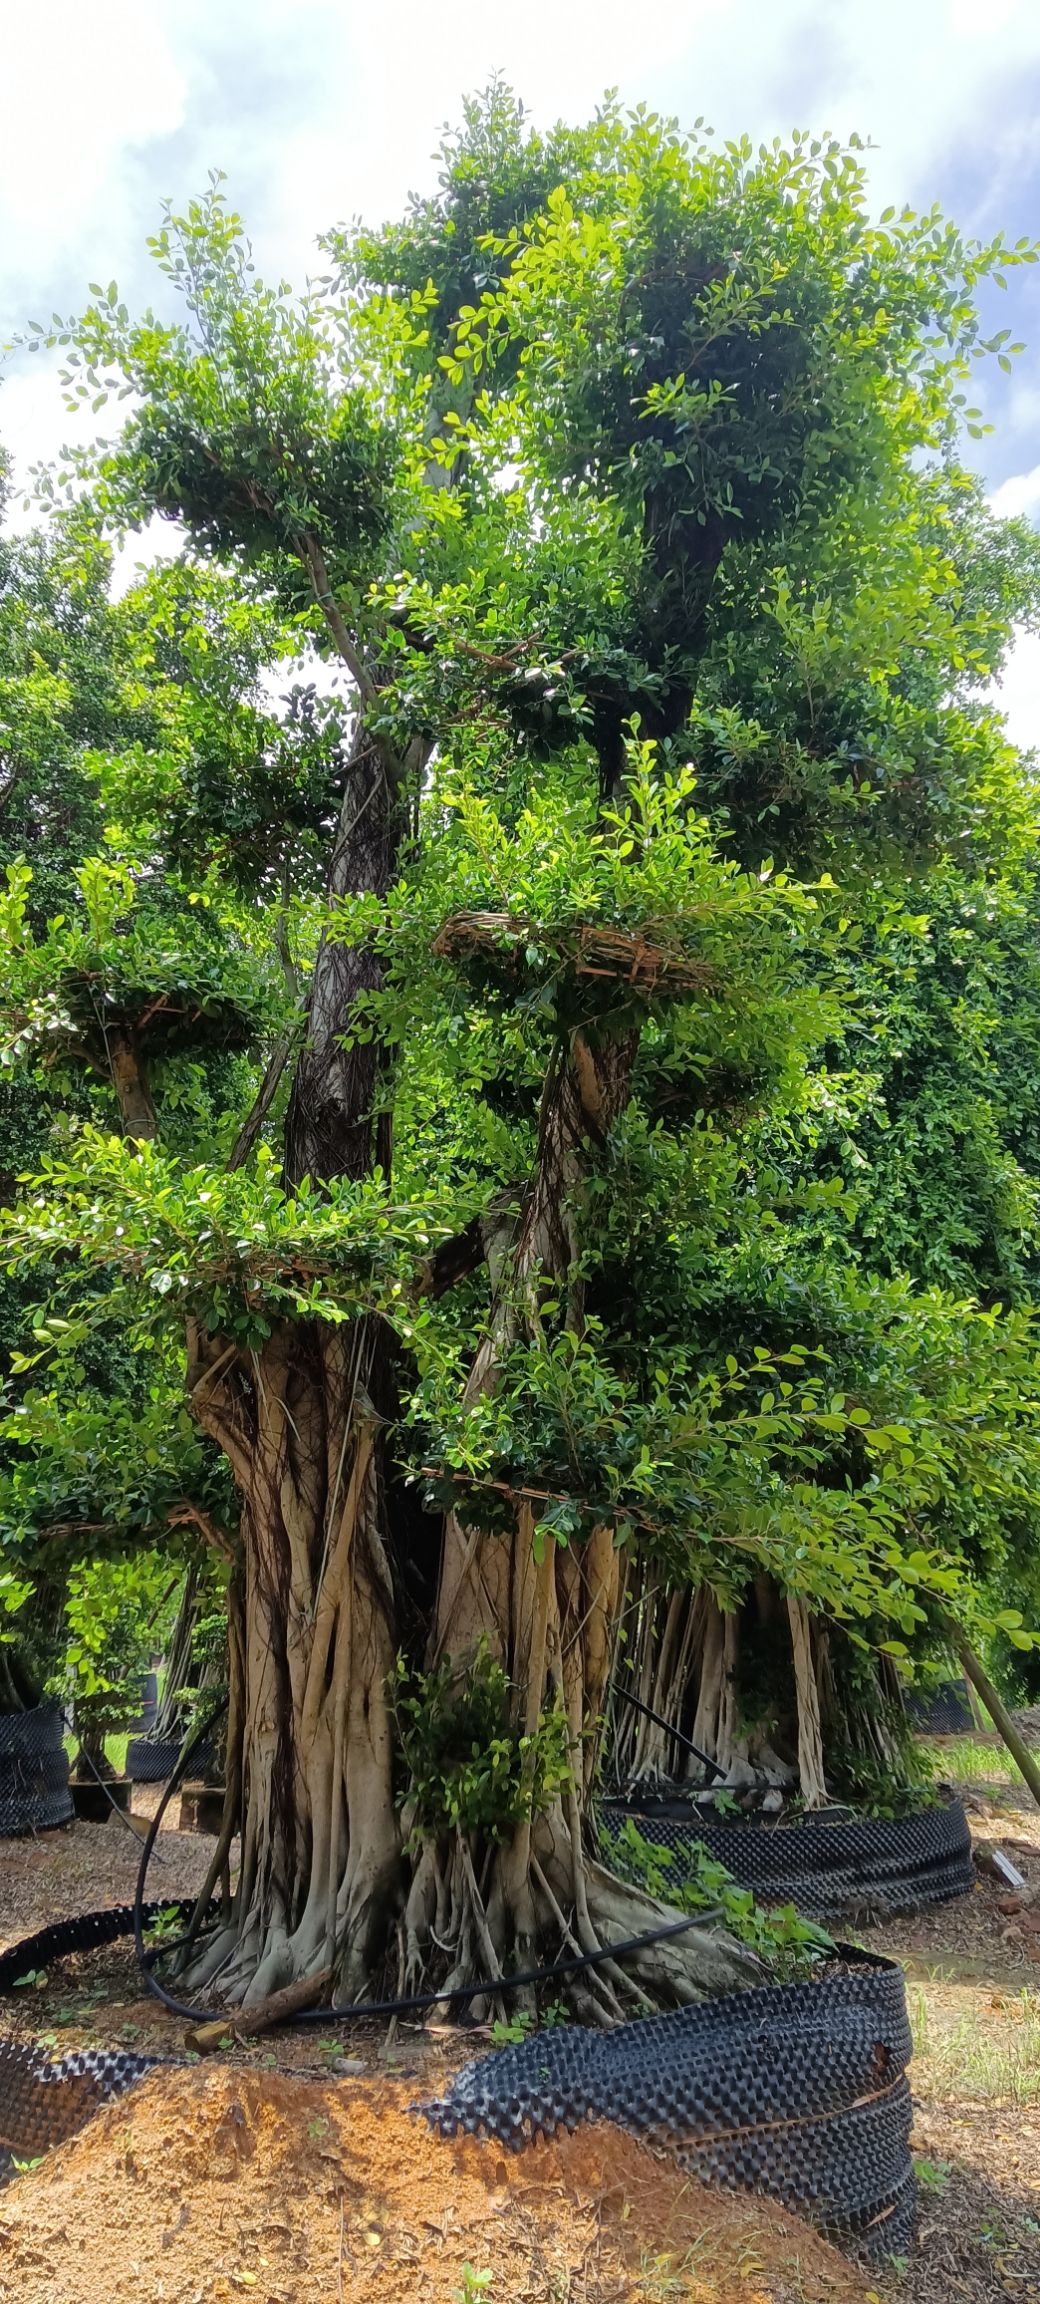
[{"x": 243, "y": 430}]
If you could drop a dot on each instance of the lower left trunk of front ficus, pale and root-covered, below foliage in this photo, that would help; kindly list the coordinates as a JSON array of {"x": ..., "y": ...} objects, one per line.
[{"x": 310, "y": 1734}]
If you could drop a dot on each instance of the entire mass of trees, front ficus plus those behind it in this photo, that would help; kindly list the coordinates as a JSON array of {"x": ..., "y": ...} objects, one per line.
[{"x": 522, "y": 1020}]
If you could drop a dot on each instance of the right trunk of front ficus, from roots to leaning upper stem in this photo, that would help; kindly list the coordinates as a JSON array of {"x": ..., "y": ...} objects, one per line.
[{"x": 548, "y": 1614}]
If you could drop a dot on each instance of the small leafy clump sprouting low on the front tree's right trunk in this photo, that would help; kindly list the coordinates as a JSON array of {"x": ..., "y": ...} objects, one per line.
[{"x": 469, "y": 1764}]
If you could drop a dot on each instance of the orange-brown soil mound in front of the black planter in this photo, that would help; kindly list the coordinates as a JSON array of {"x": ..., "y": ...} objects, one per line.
[{"x": 213, "y": 2185}]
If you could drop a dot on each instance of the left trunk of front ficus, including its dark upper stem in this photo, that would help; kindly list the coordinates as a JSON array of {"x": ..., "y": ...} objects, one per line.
[{"x": 315, "y": 1614}]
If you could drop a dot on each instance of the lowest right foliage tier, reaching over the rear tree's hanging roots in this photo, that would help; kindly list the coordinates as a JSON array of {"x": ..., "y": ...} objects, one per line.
[{"x": 764, "y": 1466}]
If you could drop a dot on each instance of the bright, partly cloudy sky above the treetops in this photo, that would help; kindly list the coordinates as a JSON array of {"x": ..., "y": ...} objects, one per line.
[{"x": 322, "y": 112}]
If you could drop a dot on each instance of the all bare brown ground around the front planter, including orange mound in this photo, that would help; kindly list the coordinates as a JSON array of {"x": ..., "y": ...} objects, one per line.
[{"x": 273, "y": 2176}]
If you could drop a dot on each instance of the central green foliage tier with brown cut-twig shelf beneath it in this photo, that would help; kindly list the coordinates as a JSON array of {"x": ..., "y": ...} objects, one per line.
[{"x": 575, "y": 914}]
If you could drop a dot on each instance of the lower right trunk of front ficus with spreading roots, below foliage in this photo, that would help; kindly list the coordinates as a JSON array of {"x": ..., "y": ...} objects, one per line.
[{"x": 550, "y": 1616}]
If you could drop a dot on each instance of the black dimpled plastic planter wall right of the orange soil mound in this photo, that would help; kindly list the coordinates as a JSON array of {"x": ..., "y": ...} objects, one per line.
[{"x": 792, "y": 2091}]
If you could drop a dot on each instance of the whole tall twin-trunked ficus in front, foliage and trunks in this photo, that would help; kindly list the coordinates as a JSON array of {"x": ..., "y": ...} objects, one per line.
[{"x": 518, "y": 467}]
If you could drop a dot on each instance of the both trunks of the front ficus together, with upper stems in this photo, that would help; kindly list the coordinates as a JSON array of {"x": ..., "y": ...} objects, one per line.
[{"x": 310, "y": 1738}]
